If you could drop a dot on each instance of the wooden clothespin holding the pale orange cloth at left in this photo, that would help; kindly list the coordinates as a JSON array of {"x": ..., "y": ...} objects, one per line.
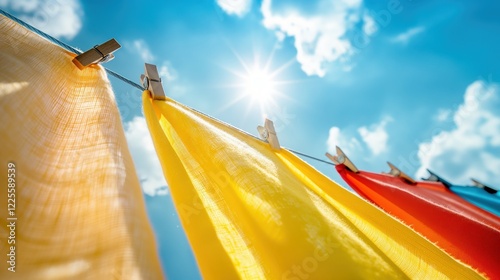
[{"x": 97, "y": 54}]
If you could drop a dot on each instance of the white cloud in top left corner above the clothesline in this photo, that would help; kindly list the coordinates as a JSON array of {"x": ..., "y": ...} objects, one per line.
[{"x": 59, "y": 18}]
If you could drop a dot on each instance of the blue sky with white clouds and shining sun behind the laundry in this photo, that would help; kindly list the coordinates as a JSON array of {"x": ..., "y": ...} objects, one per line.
[{"x": 414, "y": 82}]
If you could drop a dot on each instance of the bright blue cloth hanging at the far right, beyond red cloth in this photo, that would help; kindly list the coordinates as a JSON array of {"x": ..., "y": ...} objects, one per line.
[{"x": 480, "y": 195}]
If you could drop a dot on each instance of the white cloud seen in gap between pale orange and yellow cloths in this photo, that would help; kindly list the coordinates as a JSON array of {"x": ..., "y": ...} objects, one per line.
[{"x": 146, "y": 161}]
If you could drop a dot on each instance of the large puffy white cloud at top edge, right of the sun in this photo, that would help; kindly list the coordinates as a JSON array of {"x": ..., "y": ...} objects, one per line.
[{"x": 320, "y": 37}]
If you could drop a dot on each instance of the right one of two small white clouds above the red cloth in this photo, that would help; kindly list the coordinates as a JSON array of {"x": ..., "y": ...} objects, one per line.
[{"x": 376, "y": 137}]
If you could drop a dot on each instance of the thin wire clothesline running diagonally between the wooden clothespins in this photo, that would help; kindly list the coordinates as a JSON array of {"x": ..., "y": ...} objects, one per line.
[{"x": 128, "y": 81}]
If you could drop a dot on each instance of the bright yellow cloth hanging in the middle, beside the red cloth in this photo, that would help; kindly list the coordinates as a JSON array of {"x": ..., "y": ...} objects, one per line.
[{"x": 253, "y": 213}]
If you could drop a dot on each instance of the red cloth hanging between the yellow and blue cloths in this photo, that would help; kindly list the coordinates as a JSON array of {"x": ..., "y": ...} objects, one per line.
[{"x": 465, "y": 231}]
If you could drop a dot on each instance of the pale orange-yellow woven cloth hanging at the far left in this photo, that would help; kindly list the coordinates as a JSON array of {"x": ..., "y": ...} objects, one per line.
[{"x": 79, "y": 208}]
